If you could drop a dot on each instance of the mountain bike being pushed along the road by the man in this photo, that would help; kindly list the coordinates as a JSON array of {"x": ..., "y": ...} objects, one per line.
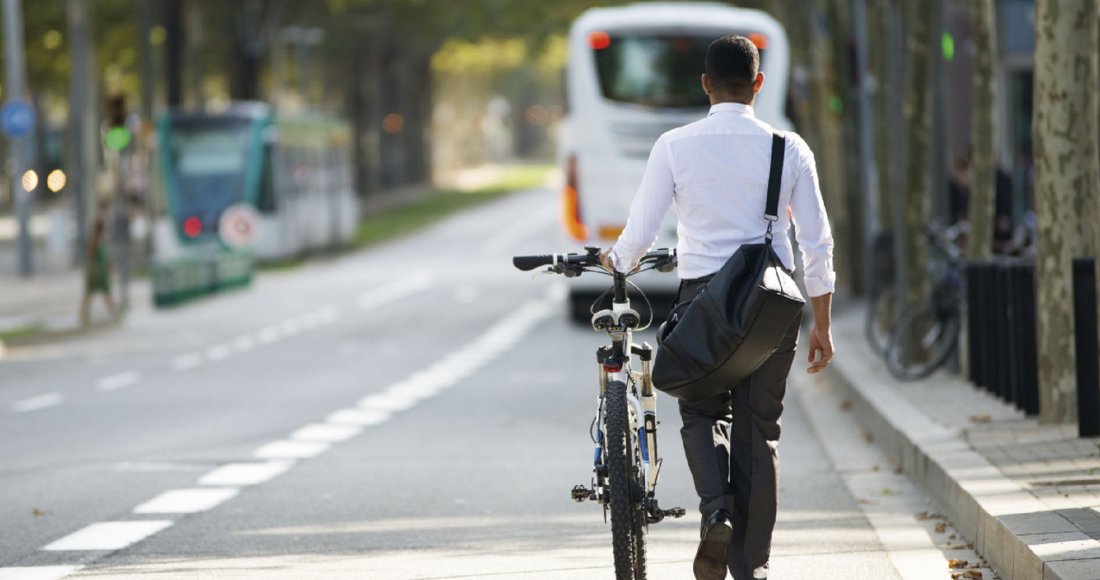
[{"x": 626, "y": 466}]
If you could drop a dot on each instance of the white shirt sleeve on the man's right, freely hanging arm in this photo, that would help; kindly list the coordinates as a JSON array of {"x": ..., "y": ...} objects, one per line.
[{"x": 811, "y": 226}]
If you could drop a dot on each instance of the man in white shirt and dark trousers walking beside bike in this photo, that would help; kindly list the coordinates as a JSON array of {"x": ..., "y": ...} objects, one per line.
[{"x": 717, "y": 171}]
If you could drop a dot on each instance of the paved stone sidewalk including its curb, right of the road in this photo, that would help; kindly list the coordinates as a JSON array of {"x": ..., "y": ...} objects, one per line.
[{"x": 1028, "y": 496}]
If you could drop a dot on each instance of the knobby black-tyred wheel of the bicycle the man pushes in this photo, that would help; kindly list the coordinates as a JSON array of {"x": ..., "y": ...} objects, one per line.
[{"x": 625, "y": 497}]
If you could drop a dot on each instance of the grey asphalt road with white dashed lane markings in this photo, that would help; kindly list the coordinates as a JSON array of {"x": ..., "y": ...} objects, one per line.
[{"x": 420, "y": 410}]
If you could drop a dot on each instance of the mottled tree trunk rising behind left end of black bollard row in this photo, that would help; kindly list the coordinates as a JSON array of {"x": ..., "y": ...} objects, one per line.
[{"x": 984, "y": 133}]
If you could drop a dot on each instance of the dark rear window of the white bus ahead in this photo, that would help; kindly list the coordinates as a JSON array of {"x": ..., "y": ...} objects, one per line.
[{"x": 654, "y": 70}]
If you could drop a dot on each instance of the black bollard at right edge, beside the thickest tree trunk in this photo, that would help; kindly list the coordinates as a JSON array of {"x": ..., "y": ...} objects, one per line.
[{"x": 1088, "y": 346}]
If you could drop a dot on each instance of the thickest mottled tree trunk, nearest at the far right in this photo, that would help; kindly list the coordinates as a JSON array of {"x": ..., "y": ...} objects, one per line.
[{"x": 1066, "y": 187}]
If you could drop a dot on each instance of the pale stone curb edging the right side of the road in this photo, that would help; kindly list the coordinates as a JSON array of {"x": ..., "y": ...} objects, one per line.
[{"x": 1007, "y": 524}]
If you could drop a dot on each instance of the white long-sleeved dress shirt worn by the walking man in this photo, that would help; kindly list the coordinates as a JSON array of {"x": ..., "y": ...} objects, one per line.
[{"x": 717, "y": 172}]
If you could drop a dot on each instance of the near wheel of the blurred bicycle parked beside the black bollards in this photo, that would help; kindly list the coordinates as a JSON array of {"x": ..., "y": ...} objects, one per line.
[{"x": 921, "y": 343}]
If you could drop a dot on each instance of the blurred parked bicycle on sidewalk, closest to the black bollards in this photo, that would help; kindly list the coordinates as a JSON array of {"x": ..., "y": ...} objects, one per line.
[{"x": 934, "y": 323}]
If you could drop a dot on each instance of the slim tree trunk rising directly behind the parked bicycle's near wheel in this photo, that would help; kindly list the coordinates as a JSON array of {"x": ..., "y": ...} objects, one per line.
[{"x": 919, "y": 123}]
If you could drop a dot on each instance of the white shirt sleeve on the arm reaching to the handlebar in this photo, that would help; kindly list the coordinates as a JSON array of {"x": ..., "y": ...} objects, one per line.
[{"x": 647, "y": 211}]
